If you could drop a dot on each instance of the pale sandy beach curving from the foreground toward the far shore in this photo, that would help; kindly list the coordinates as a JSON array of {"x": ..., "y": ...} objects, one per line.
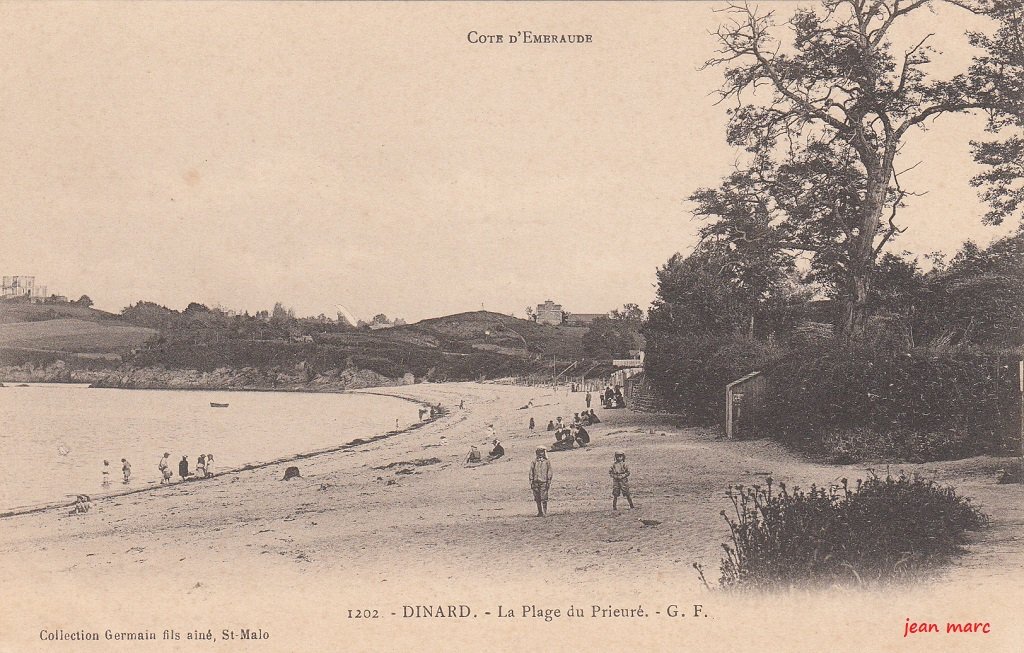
[{"x": 402, "y": 521}]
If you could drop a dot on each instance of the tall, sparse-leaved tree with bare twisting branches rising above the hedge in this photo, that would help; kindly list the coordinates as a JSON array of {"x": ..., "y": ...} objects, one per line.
[{"x": 837, "y": 106}]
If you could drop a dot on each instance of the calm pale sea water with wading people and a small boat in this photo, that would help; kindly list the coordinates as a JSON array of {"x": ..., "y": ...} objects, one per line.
[{"x": 55, "y": 439}]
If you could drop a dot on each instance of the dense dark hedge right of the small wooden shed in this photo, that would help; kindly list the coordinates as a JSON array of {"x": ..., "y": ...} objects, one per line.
[{"x": 862, "y": 402}]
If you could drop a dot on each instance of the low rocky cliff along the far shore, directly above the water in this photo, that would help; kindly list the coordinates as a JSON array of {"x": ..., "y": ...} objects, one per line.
[{"x": 244, "y": 379}]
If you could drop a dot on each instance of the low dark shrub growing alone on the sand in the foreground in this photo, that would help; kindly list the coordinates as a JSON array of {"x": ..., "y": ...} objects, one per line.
[{"x": 883, "y": 531}]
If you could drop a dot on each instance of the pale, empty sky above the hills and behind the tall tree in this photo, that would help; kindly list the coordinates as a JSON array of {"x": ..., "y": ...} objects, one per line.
[{"x": 369, "y": 156}]
